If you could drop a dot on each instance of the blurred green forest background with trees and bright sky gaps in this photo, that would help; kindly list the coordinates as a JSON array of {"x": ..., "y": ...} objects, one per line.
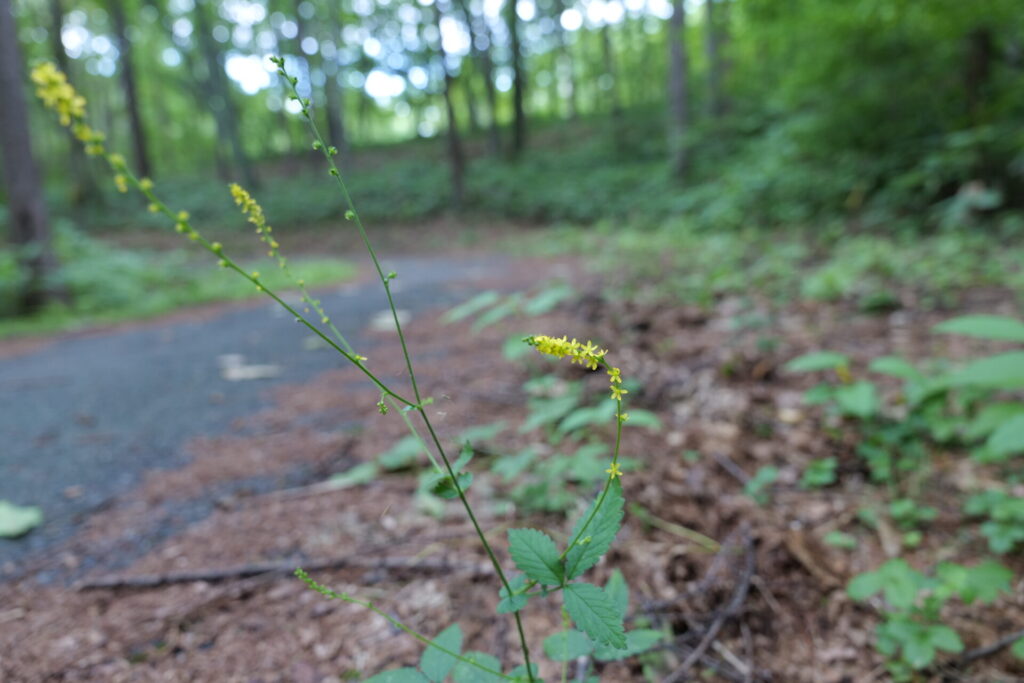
[{"x": 665, "y": 118}]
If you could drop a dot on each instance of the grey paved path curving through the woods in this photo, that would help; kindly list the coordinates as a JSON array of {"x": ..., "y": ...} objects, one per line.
[{"x": 97, "y": 412}]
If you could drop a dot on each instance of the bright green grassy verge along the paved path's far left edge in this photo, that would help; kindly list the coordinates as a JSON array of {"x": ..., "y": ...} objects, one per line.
[{"x": 112, "y": 285}]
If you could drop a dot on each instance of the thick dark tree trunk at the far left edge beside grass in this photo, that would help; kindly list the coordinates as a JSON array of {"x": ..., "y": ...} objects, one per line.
[{"x": 28, "y": 219}]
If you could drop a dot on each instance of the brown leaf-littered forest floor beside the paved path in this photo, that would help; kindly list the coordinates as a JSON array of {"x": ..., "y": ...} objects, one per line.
[{"x": 187, "y": 576}]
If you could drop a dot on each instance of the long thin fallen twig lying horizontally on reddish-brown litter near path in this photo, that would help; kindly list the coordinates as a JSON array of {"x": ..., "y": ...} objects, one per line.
[{"x": 281, "y": 567}]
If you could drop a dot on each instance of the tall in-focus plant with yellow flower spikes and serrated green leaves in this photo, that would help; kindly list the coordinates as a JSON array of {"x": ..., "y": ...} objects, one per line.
[{"x": 544, "y": 570}]
